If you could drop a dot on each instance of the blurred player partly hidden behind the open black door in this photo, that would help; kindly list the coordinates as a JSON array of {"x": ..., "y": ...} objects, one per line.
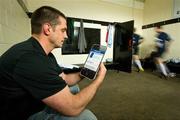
[{"x": 137, "y": 40}]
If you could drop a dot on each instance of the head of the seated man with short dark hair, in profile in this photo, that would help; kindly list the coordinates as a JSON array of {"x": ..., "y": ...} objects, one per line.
[{"x": 50, "y": 24}]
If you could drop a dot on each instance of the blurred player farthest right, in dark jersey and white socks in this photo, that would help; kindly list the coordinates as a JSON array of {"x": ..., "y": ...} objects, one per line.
[{"x": 162, "y": 45}]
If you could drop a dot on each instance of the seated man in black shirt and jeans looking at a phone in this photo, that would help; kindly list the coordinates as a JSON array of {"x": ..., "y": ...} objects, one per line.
[{"x": 31, "y": 78}]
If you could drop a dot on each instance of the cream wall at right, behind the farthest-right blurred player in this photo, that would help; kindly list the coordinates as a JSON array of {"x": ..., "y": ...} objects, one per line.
[{"x": 156, "y": 11}]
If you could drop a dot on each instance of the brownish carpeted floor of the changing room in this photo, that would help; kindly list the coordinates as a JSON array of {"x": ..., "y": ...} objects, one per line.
[{"x": 136, "y": 96}]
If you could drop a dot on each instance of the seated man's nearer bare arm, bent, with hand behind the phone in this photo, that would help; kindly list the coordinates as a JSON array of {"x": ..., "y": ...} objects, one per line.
[{"x": 67, "y": 103}]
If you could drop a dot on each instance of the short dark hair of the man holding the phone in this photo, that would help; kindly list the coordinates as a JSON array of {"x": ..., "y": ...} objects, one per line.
[{"x": 42, "y": 15}]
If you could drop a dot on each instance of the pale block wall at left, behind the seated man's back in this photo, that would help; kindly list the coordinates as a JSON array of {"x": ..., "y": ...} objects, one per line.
[{"x": 14, "y": 24}]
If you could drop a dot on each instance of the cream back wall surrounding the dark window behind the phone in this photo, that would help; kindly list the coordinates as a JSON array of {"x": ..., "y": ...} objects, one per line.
[{"x": 95, "y": 10}]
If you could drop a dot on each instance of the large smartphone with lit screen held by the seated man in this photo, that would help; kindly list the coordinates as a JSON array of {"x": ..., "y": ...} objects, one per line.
[{"x": 93, "y": 61}]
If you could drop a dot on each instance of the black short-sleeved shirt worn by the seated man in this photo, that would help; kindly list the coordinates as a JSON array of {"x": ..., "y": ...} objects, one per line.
[{"x": 27, "y": 75}]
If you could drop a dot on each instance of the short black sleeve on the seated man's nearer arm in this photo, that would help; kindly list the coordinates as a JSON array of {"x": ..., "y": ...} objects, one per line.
[{"x": 39, "y": 75}]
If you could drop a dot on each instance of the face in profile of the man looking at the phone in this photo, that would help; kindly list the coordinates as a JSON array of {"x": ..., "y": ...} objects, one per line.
[{"x": 59, "y": 33}]
